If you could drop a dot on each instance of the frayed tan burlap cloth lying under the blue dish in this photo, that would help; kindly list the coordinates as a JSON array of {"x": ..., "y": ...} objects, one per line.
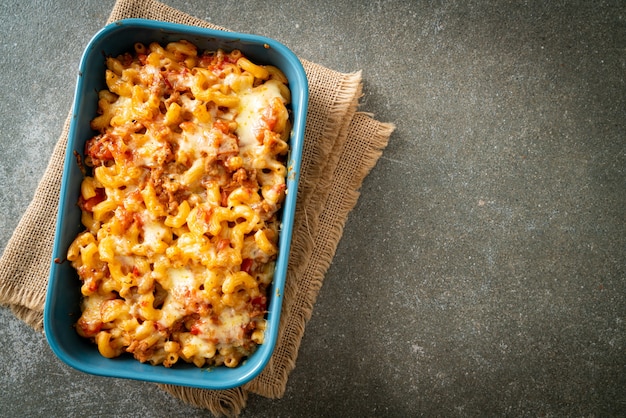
[{"x": 341, "y": 146}]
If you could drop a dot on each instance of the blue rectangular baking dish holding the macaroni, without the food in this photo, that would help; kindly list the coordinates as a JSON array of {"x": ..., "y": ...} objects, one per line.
[{"x": 63, "y": 293}]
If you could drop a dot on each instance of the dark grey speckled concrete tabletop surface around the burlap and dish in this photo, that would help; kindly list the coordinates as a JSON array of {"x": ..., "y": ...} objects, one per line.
[{"x": 482, "y": 272}]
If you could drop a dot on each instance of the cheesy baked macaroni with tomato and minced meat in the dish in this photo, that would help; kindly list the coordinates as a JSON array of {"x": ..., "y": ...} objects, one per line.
[{"x": 179, "y": 200}]
